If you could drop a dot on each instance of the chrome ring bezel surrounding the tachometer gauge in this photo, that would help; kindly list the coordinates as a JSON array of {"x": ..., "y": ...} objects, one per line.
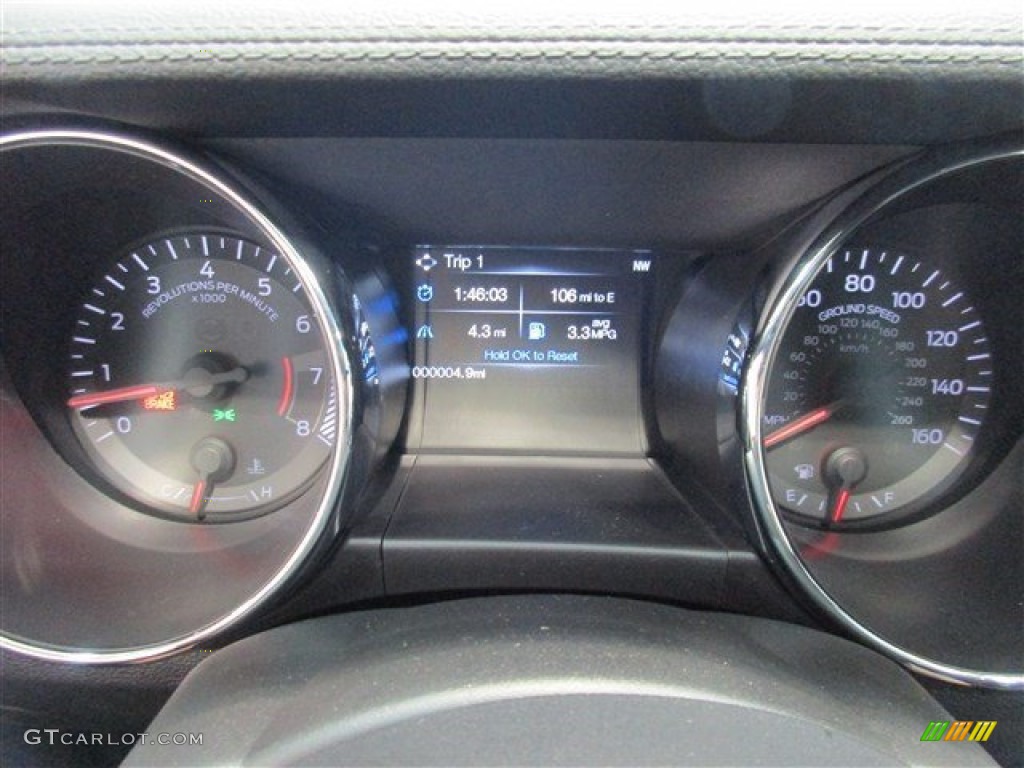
[{"x": 324, "y": 523}]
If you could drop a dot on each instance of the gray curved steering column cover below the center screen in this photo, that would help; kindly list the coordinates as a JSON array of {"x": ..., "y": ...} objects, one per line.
[{"x": 549, "y": 680}]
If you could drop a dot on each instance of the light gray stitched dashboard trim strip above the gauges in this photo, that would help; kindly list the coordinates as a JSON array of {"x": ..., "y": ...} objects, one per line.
[{"x": 536, "y": 39}]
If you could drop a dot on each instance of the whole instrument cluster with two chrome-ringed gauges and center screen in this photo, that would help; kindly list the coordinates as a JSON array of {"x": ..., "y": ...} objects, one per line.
[{"x": 207, "y": 397}]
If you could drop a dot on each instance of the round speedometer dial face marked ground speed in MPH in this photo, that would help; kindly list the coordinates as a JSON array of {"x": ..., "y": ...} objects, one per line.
[{"x": 878, "y": 393}]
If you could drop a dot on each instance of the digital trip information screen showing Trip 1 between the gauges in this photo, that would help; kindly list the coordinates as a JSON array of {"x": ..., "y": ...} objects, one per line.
[{"x": 530, "y": 350}]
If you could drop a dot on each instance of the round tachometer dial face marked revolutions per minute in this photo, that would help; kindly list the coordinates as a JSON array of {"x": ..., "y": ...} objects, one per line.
[{"x": 199, "y": 380}]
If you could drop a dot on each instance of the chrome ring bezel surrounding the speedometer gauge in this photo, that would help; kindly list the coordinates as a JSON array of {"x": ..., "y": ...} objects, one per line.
[{"x": 861, "y": 206}]
